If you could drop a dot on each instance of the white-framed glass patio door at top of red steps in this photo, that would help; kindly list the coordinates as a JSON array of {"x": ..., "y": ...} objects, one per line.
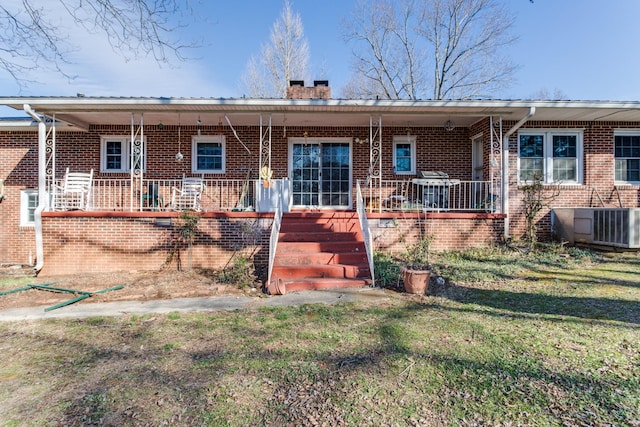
[{"x": 321, "y": 175}]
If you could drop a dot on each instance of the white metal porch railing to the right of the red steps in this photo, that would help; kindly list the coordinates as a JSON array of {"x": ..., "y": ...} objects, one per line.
[{"x": 448, "y": 195}]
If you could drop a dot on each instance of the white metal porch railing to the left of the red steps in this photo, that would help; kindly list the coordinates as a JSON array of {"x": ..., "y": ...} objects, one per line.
[{"x": 156, "y": 194}]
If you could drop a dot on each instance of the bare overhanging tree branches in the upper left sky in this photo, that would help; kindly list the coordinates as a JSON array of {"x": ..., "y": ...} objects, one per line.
[{"x": 31, "y": 38}]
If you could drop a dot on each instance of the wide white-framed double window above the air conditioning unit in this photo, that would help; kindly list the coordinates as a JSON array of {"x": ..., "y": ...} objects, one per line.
[{"x": 551, "y": 156}]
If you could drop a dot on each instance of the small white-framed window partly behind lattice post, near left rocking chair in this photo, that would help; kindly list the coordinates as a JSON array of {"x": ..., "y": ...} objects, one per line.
[{"x": 116, "y": 154}]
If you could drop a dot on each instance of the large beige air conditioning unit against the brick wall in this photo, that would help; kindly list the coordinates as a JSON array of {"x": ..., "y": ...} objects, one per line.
[{"x": 616, "y": 227}]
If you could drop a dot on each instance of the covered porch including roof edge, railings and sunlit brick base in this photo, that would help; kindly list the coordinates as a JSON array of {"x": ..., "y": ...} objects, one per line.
[{"x": 280, "y": 155}]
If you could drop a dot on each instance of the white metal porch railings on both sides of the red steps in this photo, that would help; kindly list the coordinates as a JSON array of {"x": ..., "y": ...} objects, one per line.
[{"x": 222, "y": 195}]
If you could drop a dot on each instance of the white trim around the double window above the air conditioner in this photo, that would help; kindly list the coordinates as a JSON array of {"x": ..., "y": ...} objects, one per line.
[{"x": 548, "y": 154}]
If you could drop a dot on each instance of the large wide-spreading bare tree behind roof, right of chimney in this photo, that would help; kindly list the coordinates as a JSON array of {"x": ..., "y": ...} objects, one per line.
[{"x": 411, "y": 49}]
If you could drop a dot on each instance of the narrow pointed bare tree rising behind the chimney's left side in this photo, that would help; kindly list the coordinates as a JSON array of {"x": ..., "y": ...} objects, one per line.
[{"x": 285, "y": 58}]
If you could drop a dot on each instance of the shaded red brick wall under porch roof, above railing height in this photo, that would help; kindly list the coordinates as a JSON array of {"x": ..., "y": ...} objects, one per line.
[{"x": 437, "y": 150}]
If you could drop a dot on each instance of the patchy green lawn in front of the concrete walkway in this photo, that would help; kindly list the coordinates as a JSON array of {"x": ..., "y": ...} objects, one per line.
[{"x": 542, "y": 340}]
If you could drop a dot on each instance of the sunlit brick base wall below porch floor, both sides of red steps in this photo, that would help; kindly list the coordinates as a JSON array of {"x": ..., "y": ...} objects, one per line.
[{"x": 82, "y": 242}]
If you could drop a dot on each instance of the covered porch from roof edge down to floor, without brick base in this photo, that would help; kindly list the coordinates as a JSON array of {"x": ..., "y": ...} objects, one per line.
[{"x": 261, "y": 142}]
